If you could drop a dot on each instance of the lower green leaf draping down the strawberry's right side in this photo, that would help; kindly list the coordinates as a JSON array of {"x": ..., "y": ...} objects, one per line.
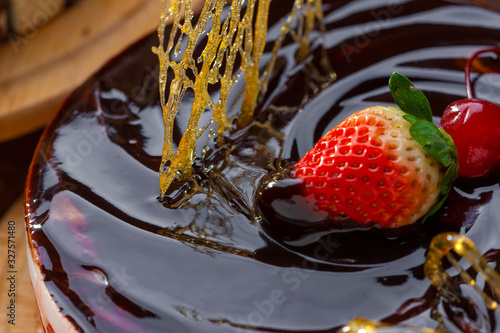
[{"x": 439, "y": 144}]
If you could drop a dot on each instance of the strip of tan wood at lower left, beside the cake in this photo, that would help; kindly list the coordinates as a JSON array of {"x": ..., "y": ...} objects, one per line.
[{"x": 26, "y": 310}]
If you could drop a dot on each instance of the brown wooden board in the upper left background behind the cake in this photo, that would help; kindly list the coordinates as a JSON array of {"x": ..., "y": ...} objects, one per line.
[{"x": 38, "y": 71}]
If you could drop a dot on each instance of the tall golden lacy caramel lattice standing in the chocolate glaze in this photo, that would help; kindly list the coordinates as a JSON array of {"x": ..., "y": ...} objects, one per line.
[{"x": 240, "y": 37}]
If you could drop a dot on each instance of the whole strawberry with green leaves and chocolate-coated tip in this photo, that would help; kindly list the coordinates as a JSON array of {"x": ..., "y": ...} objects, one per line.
[{"x": 381, "y": 166}]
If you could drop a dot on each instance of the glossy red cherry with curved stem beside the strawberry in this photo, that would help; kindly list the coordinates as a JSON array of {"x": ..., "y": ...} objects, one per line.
[{"x": 474, "y": 125}]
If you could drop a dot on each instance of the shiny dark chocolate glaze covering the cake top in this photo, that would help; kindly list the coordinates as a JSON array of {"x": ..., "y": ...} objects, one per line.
[{"x": 115, "y": 259}]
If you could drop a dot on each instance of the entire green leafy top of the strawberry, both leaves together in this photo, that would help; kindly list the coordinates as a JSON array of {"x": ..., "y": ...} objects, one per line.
[{"x": 435, "y": 141}]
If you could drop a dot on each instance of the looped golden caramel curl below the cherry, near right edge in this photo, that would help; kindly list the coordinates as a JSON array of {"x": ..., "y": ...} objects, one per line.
[{"x": 441, "y": 247}]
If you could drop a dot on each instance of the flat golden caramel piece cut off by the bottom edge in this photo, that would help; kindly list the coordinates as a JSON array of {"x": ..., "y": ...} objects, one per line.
[{"x": 360, "y": 325}]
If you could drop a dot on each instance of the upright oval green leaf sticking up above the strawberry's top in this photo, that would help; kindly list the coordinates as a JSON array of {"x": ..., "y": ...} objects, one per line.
[{"x": 409, "y": 99}]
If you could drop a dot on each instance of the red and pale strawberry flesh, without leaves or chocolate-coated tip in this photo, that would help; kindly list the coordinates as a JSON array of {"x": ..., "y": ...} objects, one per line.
[{"x": 370, "y": 169}]
